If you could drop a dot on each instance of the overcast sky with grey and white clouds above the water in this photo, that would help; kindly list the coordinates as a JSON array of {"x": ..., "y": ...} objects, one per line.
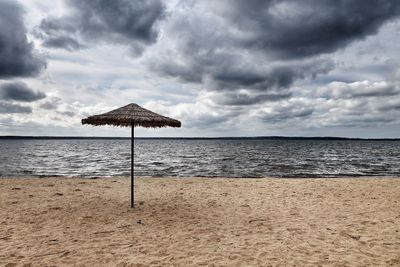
[{"x": 223, "y": 68}]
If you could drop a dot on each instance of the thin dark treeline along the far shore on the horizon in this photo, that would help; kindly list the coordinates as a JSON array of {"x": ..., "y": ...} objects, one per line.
[{"x": 198, "y": 138}]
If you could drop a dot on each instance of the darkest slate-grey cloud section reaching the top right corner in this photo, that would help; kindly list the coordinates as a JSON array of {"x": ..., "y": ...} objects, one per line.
[{"x": 293, "y": 28}]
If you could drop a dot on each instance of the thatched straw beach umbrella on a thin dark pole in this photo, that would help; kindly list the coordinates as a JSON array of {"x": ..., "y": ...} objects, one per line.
[{"x": 132, "y": 115}]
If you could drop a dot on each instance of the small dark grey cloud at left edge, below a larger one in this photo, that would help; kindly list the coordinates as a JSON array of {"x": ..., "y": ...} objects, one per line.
[{"x": 19, "y": 91}]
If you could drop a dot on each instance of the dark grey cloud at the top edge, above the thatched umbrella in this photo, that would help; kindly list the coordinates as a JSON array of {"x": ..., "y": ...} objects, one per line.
[{"x": 119, "y": 21}]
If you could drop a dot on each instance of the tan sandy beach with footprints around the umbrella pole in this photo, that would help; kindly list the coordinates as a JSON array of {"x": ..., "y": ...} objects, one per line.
[{"x": 200, "y": 222}]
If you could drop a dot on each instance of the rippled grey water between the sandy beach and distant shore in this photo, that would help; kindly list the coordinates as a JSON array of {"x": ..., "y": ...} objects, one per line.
[{"x": 236, "y": 157}]
